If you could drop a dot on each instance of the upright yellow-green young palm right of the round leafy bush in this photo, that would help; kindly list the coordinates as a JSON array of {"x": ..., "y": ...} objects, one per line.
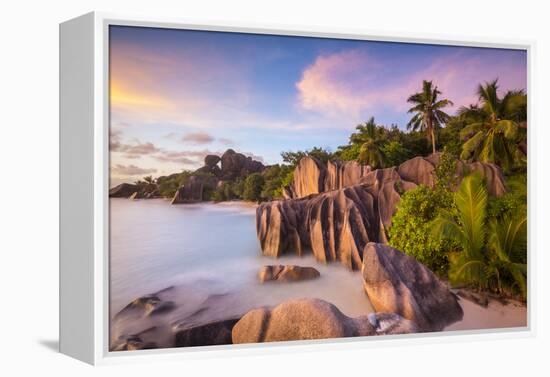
[{"x": 467, "y": 228}]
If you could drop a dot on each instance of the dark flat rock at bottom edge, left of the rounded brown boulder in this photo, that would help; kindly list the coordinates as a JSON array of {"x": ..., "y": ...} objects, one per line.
[{"x": 210, "y": 334}]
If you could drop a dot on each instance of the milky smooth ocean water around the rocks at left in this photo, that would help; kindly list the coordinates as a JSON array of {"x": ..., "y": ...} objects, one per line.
[{"x": 210, "y": 254}]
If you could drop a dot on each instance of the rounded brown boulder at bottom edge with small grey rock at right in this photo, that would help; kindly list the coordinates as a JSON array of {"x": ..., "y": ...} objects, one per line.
[{"x": 304, "y": 319}]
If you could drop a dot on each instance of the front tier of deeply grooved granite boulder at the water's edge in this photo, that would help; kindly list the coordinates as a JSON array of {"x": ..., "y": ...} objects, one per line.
[{"x": 335, "y": 225}]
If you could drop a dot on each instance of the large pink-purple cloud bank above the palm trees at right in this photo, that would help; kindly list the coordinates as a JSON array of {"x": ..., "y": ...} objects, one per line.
[{"x": 353, "y": 82}]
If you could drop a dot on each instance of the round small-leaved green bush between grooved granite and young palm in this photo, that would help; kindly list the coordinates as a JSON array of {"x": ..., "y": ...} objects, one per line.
[{"x": 410, "y": 230}]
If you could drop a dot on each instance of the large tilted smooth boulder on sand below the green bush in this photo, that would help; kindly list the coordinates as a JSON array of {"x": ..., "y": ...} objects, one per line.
[{"x": 397, "y": 283}]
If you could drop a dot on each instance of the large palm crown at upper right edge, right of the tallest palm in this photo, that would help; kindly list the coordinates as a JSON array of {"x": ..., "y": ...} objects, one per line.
[{"x": 492, "y": 125}]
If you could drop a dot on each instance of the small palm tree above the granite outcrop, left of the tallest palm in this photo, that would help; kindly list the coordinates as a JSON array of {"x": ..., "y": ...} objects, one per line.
[{"x": 370, "y": 140}]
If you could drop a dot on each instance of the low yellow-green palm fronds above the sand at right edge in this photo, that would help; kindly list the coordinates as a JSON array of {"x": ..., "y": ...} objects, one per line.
[{"x": 491, "y": 251}]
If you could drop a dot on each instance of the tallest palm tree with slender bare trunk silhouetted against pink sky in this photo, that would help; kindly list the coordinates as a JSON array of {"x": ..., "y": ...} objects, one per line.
[{"x": 427, "y": 109}]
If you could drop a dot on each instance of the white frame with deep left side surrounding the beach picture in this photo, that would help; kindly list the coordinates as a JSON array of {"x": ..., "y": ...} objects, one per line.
[{"x": 84, "y": 178}]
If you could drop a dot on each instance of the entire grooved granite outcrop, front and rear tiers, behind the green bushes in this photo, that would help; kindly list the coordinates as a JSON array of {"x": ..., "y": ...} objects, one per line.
[{"x": 335, "y": 211}]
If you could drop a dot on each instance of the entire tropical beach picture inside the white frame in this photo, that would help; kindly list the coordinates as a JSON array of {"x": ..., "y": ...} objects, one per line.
[{"x": 268, "y": 188}]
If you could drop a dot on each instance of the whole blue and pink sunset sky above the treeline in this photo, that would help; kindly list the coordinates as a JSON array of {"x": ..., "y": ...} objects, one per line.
[{"x": 178, "y": 95}]
